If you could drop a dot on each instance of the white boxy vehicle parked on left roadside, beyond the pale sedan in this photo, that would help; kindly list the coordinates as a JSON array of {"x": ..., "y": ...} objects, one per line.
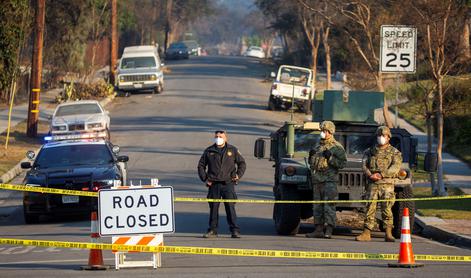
[{"x": 140, "y": 69}]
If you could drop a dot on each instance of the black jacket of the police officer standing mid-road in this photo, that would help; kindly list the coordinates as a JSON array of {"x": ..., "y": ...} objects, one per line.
[{"x": 220, "y": 165}]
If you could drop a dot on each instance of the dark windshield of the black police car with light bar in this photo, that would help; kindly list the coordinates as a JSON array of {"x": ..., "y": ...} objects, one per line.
[{"x": 73, "y": 155}]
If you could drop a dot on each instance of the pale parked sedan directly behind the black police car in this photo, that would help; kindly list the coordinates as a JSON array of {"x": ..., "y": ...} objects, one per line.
[{"x": 84, "y": 116}]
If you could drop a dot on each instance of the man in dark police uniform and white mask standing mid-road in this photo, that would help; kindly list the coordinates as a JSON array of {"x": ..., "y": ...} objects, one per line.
[{"x": 220, "y": 168}]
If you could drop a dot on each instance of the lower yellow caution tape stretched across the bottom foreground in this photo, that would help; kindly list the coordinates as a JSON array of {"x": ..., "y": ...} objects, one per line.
[{"x": 230, "y": 251}]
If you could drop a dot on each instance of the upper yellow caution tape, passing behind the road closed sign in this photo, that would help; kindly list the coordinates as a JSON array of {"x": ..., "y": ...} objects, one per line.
[{"x": 49, "y": 190}]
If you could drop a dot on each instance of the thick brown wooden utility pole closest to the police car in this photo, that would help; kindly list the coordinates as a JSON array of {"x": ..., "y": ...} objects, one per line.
[{"x": 36, "y": 70}]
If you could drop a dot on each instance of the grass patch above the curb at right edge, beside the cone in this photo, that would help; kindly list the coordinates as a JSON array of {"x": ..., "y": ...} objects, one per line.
[{"x": 445, "y": 209}]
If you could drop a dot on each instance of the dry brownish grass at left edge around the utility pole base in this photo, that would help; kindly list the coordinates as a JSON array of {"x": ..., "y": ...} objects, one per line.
[{"x": 18, "y": 145}]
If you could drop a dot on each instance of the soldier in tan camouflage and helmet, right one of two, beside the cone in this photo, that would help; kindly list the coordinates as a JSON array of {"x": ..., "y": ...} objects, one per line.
[{"x": 381, "y": 164}]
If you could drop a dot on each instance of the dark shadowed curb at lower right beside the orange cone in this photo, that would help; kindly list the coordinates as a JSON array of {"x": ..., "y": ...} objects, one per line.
[{"x": 442, "y": 235}]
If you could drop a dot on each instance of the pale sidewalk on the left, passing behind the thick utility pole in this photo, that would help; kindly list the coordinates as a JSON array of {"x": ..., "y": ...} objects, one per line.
[{"x": 20, "y": 112}]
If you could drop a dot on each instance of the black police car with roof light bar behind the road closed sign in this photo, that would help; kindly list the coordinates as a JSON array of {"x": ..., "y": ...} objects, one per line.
[{"x": 85, "y": 162}]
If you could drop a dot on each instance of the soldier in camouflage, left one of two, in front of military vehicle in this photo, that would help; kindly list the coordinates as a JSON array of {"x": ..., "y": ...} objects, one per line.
[{"x": 325, "y": 160}]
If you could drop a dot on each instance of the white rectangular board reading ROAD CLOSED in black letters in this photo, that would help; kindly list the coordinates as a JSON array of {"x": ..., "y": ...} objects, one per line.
[{"x": 136, "y": 211}]
